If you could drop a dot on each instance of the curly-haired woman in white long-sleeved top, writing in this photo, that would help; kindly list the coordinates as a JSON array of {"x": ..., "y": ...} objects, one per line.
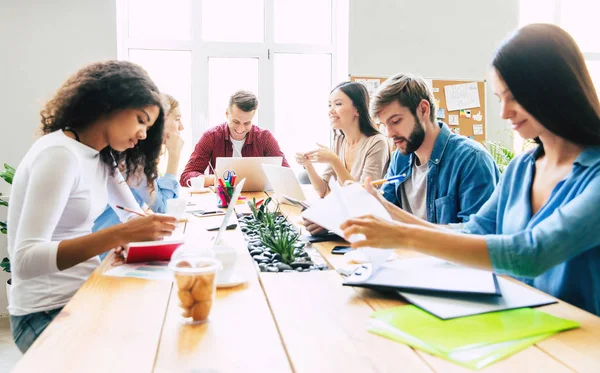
[{"x": 106, "y": 114}]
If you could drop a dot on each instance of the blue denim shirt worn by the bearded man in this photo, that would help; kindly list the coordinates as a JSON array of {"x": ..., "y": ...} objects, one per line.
[{"x": 462, "y": 176}]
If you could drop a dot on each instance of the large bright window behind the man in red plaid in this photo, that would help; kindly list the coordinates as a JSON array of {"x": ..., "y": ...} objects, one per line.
[{"x": 290, "y": 53}]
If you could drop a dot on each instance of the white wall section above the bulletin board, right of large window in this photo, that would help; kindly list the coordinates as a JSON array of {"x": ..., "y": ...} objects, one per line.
[{"x": 432, "y": 38}]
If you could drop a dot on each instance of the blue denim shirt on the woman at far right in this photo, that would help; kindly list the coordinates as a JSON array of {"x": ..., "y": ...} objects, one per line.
[{"x": 557, "y": 250}]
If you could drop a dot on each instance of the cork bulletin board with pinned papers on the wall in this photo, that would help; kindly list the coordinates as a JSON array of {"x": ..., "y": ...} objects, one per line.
[{"x": 460, "y": 103}]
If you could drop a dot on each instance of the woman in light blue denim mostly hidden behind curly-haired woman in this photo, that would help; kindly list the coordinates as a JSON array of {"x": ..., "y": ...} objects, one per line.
[{"x": 165, "y": 187}]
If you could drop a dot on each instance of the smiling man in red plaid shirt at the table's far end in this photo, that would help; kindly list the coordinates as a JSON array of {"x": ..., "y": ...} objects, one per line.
[{"x": 237, "y": 137}]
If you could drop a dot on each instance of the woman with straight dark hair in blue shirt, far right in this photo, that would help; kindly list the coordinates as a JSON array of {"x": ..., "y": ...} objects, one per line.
[{"x": 541, "y": 223}]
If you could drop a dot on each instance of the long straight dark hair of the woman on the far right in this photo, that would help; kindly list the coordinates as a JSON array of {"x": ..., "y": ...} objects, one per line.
[{"x": 546, "y": 73}]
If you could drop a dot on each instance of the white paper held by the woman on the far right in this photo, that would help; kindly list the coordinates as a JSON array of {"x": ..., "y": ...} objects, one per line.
[{"x": 341, "y": 204}]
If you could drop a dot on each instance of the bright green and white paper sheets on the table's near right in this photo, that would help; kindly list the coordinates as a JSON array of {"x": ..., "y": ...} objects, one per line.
[{"x": 474, "y": 341}]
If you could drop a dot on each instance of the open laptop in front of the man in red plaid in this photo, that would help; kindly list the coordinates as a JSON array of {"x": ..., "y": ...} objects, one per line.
[{"x": 248, "y": 168}]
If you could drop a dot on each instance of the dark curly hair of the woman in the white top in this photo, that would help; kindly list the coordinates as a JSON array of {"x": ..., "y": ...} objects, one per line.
[{"x": 99, "y": 90}]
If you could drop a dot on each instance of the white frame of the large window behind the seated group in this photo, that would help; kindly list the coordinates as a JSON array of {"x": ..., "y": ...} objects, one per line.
[{"x": 202, "y": 50}]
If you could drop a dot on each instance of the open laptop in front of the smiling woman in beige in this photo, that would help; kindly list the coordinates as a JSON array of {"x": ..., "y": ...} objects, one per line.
[{"x": 285, "y": 184}]
